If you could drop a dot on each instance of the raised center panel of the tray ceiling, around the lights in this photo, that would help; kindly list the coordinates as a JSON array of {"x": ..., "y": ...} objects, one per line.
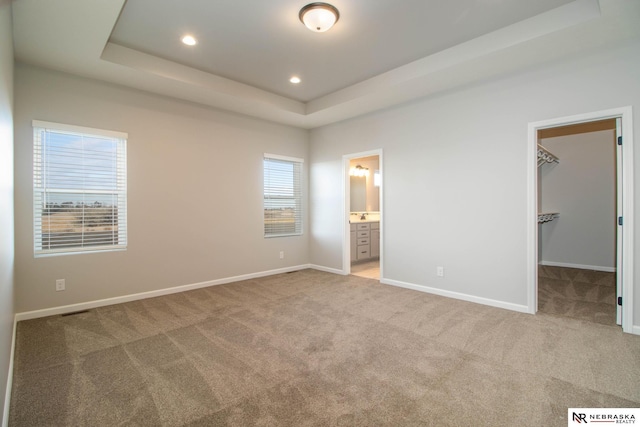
[{"x": 262, "y": 43}]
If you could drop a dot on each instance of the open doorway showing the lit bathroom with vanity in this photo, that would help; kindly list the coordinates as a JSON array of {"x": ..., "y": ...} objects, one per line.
[{"x": 362, "y": 246}]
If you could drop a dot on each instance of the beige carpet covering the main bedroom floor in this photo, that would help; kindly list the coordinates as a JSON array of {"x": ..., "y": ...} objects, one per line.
[{"x": 315, "y": 349}]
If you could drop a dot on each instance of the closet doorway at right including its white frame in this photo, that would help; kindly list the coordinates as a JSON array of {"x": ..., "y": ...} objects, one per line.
[{"x": 583, "y": 204}]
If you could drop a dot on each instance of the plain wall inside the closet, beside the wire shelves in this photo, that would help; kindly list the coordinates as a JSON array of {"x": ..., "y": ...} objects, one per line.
[{"x": 582, "y": 188}]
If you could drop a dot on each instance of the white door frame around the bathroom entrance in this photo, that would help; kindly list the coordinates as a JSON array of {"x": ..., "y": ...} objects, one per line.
[{"x": 346, "y": 208}]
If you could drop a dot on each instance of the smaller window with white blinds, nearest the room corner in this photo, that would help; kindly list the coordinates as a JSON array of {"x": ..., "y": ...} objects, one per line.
[{"x": 282, "y": 196}]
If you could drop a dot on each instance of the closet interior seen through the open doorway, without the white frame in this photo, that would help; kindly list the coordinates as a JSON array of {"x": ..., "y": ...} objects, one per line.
[{"x": 578, "y": 220}]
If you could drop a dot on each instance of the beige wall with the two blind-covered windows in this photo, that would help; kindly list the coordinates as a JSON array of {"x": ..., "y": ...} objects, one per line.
[{"x": 194, "y": 192}]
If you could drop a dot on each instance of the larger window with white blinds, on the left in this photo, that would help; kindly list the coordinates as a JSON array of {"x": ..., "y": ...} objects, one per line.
[{"x": 79, "y": 189}]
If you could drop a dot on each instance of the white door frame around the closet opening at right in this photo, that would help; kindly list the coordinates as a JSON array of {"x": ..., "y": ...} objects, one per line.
[{"x": 625, "y": 172}]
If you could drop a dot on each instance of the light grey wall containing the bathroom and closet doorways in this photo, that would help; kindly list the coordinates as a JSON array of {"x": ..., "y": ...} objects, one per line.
[{"x": 456, "y": 173}]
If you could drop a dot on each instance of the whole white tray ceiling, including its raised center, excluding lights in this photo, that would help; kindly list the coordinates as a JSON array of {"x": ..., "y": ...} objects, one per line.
[{"x": 380, "y": 53}]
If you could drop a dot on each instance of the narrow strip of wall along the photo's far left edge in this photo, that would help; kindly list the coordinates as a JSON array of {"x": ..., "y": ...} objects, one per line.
[{"x": 6, "y": 199}]
